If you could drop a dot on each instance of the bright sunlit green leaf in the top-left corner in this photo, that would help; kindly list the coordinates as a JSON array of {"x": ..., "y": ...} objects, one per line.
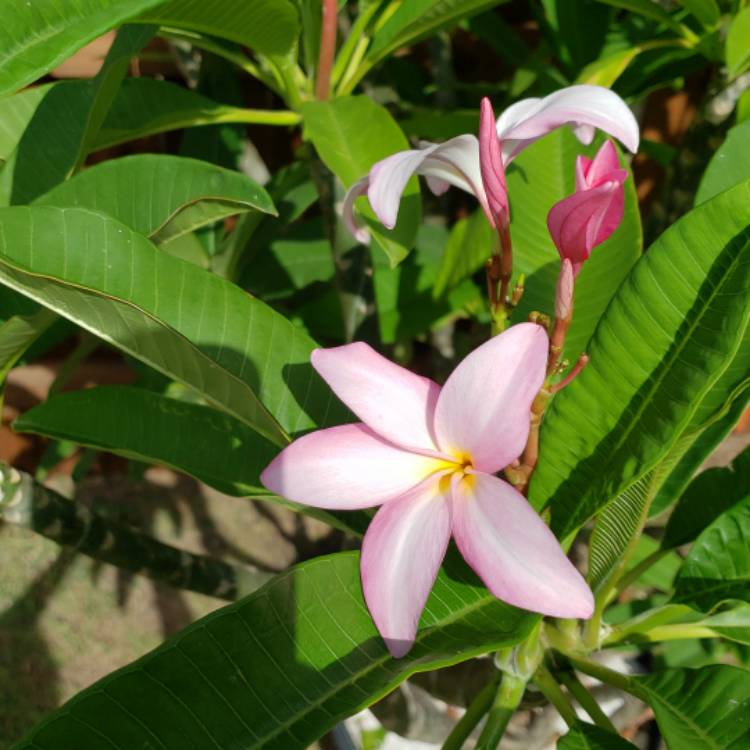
[{"x": 37, "y": 36}]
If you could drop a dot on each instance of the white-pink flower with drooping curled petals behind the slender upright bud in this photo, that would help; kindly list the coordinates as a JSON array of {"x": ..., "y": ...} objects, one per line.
[{"x": 457, "y": 161}]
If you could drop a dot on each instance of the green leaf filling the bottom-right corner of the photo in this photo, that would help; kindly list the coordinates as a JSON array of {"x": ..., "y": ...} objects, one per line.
[{"x": 706, "y": 708}]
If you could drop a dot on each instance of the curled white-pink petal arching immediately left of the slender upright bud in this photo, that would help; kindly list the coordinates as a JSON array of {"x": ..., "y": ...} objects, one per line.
[{"x": 455, "y": 162}]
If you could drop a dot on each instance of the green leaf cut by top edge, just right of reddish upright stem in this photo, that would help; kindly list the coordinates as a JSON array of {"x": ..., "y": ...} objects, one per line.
[{"x": 418, "y": 19}]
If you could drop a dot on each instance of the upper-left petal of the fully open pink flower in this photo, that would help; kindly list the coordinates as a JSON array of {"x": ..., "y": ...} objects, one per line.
[{"x": 395, "y": 403}]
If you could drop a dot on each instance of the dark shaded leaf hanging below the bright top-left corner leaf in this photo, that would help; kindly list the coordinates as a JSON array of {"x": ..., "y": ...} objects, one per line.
[{"x": 65, "y": 124}]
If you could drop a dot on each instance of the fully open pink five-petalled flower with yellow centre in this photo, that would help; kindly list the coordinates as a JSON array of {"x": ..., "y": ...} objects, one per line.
[{"x": 429, "y": 456}]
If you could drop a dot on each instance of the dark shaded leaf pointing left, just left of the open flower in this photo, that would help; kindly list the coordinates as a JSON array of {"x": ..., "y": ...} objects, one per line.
[{"x": 198, "y": 440}]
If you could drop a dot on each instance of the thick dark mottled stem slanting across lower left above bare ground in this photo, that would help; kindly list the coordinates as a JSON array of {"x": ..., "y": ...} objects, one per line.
[{"x": 27, "y": 504}]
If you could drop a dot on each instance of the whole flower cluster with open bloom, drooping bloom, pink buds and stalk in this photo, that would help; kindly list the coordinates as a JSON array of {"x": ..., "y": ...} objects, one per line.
[{"x": 430, "y": 455}]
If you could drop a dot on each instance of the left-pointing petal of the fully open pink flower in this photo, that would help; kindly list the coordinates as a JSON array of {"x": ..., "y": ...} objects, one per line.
[{"x": 344, "y": 468}]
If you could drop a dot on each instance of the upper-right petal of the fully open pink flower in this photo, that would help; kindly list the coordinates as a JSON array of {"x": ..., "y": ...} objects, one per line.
[{"x": 483, "y": 410}]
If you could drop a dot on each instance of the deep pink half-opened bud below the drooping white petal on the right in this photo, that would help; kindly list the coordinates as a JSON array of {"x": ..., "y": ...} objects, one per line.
[{"x": 585, "y": 219}]
